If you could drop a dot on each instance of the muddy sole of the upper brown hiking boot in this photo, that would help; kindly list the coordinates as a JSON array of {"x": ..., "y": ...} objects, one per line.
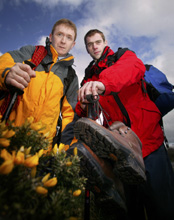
[{"x": 104, "y": 145}]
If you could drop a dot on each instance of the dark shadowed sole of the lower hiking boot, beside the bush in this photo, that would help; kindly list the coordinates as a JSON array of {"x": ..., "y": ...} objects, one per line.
[{"x": 103, "y": 187}]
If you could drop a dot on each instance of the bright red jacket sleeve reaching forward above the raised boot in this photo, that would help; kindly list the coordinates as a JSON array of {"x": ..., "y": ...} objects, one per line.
[{"x": 126, "y": 71}]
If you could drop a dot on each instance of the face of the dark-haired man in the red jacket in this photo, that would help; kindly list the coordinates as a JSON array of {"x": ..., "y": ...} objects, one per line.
[{"x": 95, "y": 45}]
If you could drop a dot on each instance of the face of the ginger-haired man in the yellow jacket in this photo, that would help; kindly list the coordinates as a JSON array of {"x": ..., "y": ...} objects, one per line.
[{"x": 63, "y": 39}]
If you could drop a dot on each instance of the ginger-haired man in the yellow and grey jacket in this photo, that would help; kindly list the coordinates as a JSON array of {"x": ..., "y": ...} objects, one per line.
[{"x": 43, "y": 95}]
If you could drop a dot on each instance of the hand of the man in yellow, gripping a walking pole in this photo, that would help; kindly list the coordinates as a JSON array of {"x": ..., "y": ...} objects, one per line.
[{"x": 19, "y": 76}]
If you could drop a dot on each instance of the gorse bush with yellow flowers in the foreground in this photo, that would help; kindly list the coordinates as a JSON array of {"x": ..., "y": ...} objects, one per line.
[{"x": 36, "y": 180}]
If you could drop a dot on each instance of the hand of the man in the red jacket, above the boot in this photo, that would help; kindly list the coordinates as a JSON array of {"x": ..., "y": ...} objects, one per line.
[{"x": 93, "y": 87}]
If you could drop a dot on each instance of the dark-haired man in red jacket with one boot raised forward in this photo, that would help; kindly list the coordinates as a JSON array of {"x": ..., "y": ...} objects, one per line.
[{"x": 119, "y": 78}]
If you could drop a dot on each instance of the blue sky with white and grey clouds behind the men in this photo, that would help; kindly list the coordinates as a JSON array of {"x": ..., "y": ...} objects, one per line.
[{"x": 144, "y": 26}]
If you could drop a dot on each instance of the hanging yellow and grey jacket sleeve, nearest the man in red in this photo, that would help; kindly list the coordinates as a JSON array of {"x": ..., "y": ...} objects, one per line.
[{"x": 69, "y": 117}]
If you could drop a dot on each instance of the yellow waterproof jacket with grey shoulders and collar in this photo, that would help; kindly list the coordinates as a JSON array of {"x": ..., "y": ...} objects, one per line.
[{"x": 42, "y": 98}]
